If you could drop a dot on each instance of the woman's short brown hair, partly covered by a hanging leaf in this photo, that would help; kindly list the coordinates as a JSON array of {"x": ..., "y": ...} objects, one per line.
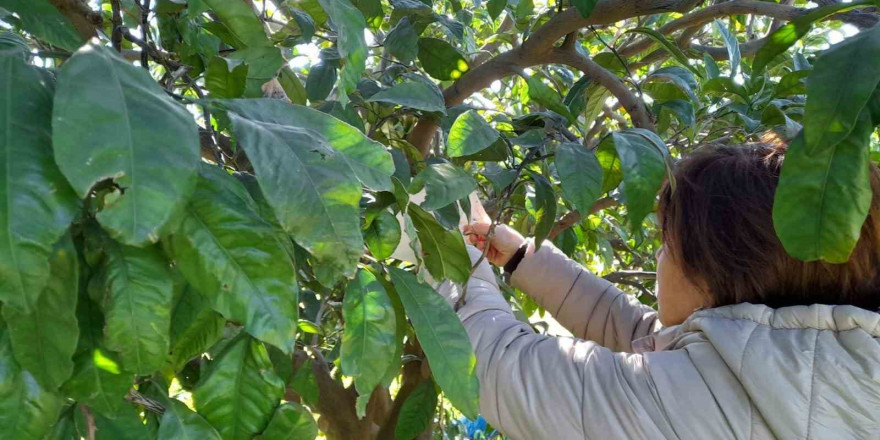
[{"x": 717, "y": 223}]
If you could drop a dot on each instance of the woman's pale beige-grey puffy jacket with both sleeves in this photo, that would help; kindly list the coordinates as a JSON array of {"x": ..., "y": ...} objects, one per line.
[{"x": 737, "y": 372}]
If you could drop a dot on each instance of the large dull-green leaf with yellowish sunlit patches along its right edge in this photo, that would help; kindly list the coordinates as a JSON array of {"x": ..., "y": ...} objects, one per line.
[{"x": 308, "y": 183}]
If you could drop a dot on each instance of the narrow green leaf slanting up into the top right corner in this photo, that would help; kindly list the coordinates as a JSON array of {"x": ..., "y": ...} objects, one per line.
[{"x": 787, "y": 35}]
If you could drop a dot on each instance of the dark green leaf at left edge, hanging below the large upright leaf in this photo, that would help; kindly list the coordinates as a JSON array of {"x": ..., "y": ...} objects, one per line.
[{"x": 45, "y": 339}]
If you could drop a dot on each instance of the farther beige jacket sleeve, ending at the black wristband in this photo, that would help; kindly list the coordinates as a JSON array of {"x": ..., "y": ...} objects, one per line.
[{"x": 588, "y": 306}]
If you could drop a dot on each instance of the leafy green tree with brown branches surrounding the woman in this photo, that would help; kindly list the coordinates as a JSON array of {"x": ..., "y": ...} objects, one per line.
[{"x": 203, "y": 198}]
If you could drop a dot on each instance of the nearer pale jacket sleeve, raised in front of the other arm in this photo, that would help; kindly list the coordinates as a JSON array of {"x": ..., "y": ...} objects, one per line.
[{"x": 535, "y": 387}]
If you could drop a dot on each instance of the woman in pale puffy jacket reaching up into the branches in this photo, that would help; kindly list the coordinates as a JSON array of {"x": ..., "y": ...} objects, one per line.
[{"x": 749, "y": 343}]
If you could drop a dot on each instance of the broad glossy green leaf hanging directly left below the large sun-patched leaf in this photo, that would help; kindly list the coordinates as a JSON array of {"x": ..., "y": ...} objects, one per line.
[{"x": 233, "y": 257}]
